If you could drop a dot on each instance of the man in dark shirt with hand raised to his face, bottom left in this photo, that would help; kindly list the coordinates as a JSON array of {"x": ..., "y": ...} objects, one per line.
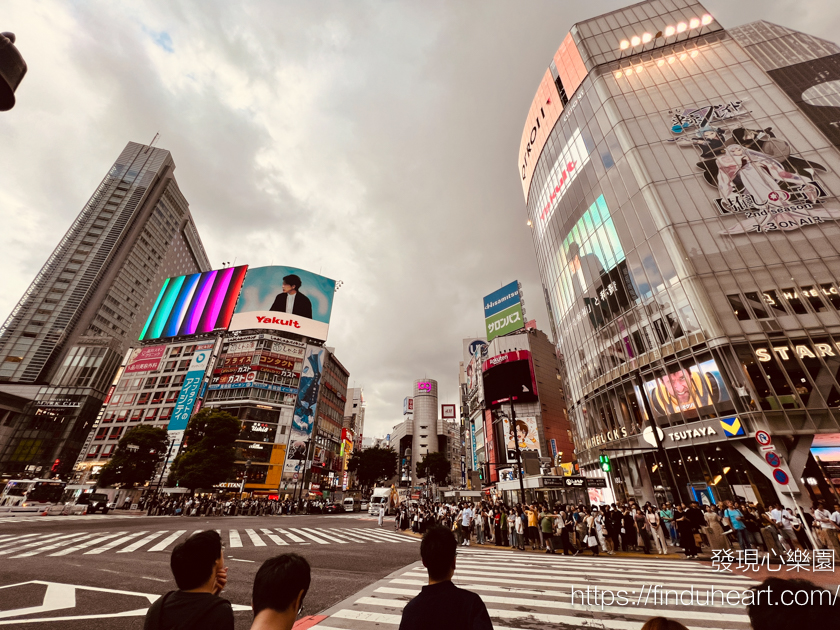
[{"x": 198, "y": 566}]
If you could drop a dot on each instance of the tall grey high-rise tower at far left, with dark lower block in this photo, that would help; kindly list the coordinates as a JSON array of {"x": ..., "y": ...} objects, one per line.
[{"x": 70, "y": 330}]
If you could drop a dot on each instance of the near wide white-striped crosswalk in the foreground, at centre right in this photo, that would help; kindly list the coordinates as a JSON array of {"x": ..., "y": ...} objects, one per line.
[{"x": 540, "y": 591}]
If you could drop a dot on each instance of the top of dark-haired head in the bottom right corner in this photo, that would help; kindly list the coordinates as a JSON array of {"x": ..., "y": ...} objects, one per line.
[{"x": 779, "y": 604}]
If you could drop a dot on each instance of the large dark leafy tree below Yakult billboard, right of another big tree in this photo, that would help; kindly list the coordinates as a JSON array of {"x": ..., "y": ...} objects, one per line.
[{"x": 210, "y": 455}]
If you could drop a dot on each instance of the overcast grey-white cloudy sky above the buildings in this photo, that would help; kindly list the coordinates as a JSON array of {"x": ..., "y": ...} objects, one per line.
[{"x": 373, "y": 142}]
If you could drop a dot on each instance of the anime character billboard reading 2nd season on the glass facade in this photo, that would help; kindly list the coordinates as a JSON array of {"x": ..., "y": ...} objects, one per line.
[{"x": 758, "y": 176}]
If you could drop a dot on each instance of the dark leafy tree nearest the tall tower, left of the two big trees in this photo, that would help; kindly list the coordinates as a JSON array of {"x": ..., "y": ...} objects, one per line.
[{"x": 132, "y": 466}]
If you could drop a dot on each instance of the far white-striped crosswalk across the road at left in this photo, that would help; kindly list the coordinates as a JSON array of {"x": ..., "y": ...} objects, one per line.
[{"x": 14, "y": 546}]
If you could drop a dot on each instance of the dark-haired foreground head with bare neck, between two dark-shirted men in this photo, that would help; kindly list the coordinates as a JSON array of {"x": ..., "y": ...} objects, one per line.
[{"x": 279, "y": 588}]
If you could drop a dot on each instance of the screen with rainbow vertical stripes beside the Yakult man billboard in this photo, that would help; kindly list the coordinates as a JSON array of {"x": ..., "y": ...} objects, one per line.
[{"x": 194, "y": 304}]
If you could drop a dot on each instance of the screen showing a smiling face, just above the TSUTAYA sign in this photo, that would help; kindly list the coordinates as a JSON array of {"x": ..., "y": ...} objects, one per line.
[{"x": 687, "y": 391}]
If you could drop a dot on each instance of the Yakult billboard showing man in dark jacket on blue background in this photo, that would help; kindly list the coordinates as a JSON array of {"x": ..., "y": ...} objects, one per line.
[{"x": 285, "y": 298}]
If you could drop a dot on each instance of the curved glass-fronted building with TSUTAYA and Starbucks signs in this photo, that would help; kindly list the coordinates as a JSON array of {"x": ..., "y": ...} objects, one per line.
[{"x": 681, "y": 187}]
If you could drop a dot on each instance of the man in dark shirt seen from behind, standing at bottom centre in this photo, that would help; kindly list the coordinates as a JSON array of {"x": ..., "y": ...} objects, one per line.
[{"x": 442, "y": 605}]
